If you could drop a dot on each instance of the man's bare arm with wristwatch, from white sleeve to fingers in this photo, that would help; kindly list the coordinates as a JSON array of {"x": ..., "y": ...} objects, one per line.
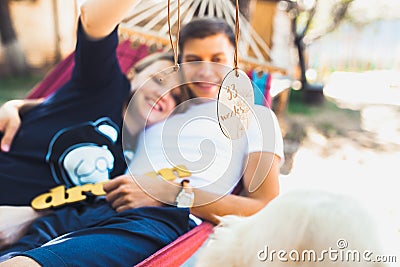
[{"x": 260, "y": 179}]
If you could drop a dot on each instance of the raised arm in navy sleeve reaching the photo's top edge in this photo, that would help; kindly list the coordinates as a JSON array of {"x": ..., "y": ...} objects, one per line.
[{"x": 96, "y": 63}]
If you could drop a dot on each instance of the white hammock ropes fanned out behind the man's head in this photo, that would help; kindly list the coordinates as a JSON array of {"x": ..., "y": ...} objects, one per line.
[{"x": 148, "y": 22}]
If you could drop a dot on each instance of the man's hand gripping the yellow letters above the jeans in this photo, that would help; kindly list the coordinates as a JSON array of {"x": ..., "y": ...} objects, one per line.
[{"x": 123, "y": 193}]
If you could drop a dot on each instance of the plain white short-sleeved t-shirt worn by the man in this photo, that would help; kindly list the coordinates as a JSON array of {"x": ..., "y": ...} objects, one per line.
[{"x": 194, "y": 139}]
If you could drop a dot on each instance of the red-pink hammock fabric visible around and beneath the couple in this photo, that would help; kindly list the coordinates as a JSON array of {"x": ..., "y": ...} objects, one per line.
[{"x": 182, "y": 248}]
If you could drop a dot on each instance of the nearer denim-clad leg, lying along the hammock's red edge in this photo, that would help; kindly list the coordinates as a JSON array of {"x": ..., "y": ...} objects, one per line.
[{"x": 123, "y": 240}]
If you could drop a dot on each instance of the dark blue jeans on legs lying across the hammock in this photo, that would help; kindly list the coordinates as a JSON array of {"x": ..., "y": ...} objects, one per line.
[{"x": 95, "y": 235}]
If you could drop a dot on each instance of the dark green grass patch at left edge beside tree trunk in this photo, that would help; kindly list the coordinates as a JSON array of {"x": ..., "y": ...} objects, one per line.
[{"x": 13, "y": 87}]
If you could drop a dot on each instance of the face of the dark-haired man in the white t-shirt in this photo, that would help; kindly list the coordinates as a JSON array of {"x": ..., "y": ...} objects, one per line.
[{"x": 204, "y": 78}]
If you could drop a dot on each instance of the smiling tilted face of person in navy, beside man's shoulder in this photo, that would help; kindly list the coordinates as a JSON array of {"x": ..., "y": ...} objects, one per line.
[{"x": 153, "y": 100}]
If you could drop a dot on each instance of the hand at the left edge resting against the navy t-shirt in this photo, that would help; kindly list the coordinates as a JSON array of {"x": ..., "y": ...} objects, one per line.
[{"x": 9, "y": 122}]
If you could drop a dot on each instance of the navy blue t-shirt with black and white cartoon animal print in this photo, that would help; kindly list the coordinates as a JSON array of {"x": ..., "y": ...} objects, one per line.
[{"x": 74, "y": 137}]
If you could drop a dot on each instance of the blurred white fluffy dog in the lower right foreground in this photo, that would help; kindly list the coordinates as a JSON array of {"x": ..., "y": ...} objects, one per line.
[{"x": 299, "y": 228}]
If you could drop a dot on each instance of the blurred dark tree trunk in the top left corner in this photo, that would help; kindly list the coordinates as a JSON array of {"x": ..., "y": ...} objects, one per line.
[{"x": 15, "y": 57}]
